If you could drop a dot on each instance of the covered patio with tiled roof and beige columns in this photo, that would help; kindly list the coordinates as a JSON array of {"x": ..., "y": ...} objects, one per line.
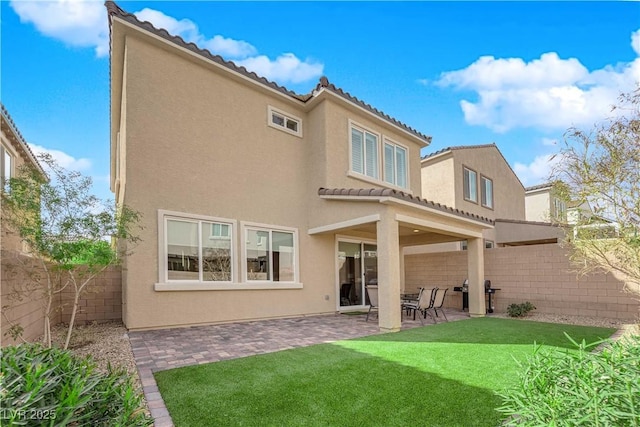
[{"x": 395, "y": 220}]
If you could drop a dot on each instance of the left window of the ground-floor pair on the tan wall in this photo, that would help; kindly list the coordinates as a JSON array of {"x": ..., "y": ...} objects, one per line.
[{"x": 198, "y": 250}]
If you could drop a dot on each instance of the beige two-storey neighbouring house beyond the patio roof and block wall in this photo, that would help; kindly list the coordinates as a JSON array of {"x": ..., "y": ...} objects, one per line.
[{"x": 478, "y": 179}]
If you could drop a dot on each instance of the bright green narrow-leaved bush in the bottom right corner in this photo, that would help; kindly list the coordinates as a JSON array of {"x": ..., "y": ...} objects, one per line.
[{"x": 578, "y": 388}]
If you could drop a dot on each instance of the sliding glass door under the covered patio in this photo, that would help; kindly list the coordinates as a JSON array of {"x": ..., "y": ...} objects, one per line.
[{"x": 357, "y": 268}]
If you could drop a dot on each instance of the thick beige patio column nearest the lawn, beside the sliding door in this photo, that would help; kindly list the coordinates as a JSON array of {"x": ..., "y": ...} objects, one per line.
[{"x": 388, "y": 273}]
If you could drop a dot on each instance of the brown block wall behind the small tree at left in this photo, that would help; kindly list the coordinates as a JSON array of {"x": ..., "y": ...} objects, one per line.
[{"x": 102, "y": 303}]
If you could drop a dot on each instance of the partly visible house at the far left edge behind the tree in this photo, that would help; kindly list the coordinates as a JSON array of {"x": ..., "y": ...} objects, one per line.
[{"x": 14, "y": 153}]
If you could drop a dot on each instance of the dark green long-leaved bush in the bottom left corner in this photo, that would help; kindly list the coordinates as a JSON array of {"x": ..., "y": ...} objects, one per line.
[{"x": 48, "y": 386}]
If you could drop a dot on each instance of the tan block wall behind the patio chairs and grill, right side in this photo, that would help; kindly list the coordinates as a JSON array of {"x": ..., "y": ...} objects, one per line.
[{"x": 541, "y": 274}]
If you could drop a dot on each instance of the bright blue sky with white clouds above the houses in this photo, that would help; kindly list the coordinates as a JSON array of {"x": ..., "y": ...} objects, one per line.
[{"x": 514, "y": 73}]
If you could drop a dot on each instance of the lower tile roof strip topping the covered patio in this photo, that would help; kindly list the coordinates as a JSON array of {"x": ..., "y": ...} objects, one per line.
[{"x": 400, "y": 195}]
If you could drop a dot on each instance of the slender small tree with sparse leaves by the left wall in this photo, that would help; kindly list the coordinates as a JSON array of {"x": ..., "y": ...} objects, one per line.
[{"x": 64, "y": 227}]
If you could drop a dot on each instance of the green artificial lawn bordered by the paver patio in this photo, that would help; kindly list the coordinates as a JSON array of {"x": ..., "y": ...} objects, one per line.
[{"x": 439, "y": 375}]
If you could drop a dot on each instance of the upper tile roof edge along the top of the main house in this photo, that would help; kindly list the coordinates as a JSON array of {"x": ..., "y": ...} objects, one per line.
[{"x": 114, "y": 10}]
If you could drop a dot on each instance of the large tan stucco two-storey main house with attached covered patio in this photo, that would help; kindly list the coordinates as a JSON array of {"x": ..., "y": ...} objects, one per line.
[{"x": 258, "y": 202}]
